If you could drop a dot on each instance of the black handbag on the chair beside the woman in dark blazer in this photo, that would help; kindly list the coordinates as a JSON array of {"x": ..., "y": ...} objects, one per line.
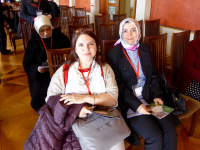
[{"x": 171, "y": 96}]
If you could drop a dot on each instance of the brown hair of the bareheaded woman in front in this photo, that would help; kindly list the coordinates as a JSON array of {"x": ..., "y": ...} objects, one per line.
[{"x": 74, "y": 56}]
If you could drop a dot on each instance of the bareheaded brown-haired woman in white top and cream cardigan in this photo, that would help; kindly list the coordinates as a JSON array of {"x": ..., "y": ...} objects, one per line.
[{"x": 86, "y": 84}]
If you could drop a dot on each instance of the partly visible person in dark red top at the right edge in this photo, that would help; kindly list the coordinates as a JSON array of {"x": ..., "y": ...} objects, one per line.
[{"x": 188, "y": 79}]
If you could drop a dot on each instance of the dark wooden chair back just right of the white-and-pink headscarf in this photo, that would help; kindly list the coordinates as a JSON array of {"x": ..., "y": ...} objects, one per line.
[{"x": 152, "y": 27}]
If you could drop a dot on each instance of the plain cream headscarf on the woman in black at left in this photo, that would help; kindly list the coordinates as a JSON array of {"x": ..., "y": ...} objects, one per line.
[{"x": 41, "y": 21}]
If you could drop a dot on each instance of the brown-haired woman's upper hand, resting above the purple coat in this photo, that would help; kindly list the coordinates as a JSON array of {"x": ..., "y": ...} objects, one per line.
[{"x": 73, "y": 99}]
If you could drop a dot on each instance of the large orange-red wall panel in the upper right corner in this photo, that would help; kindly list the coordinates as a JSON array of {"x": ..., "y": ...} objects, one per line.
[{"x": 183, "y": 14}]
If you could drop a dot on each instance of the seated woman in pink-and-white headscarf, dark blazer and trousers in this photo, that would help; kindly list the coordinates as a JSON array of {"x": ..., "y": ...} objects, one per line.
[{"x": 138, "y": 86}]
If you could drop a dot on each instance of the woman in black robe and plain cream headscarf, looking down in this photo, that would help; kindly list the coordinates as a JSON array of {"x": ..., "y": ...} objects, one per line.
[{"x": 45, "y": 38}]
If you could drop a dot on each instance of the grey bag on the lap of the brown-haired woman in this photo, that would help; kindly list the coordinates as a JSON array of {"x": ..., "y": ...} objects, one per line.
[{"x": 97, "y": 132}]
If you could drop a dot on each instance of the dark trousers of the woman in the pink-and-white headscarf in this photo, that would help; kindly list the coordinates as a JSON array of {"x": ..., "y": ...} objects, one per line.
[{"x": 159, "y": 134}]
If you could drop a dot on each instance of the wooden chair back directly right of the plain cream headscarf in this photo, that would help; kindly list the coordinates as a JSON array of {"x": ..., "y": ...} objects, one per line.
[{"x": 62, "y": 22}]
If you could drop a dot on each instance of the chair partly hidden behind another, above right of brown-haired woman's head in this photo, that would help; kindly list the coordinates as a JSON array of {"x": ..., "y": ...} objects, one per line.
[{"x": 100, "y": 19}]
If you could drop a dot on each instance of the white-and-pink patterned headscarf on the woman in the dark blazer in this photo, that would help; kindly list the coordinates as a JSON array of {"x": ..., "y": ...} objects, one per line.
[{"x": 127, "y": 46}]
